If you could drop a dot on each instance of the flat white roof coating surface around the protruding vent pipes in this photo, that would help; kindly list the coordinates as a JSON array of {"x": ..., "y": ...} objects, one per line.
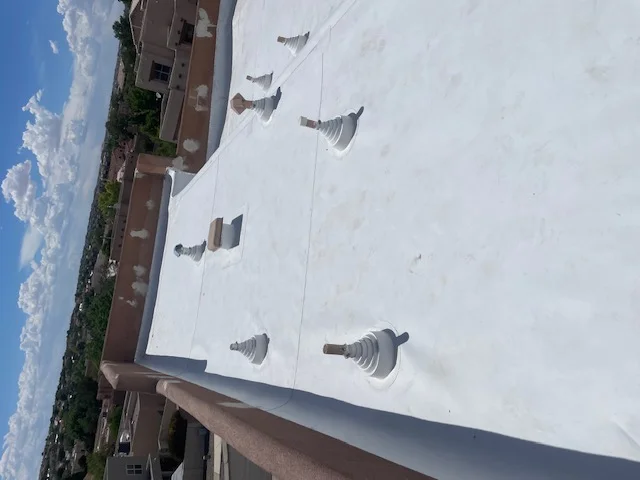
[{"x": 489, "y": 206}]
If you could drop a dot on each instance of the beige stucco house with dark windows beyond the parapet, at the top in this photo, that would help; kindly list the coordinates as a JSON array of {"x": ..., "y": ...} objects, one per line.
[{"x": 163, "y": 33}]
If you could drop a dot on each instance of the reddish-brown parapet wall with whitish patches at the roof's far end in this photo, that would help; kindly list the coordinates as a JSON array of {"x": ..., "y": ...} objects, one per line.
[{"x": 141, "y": 194}]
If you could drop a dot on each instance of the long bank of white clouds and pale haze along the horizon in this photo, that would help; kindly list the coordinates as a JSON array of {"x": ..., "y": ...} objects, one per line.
[{"x": 49, "y": 193}]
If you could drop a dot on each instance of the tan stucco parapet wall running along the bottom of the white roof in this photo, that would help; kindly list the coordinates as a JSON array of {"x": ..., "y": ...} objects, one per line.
[{"x": 287, "y": 450}]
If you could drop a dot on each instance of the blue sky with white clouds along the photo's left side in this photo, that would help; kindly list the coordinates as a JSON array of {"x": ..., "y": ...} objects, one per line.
[{"x": 54, "y": 101}]
